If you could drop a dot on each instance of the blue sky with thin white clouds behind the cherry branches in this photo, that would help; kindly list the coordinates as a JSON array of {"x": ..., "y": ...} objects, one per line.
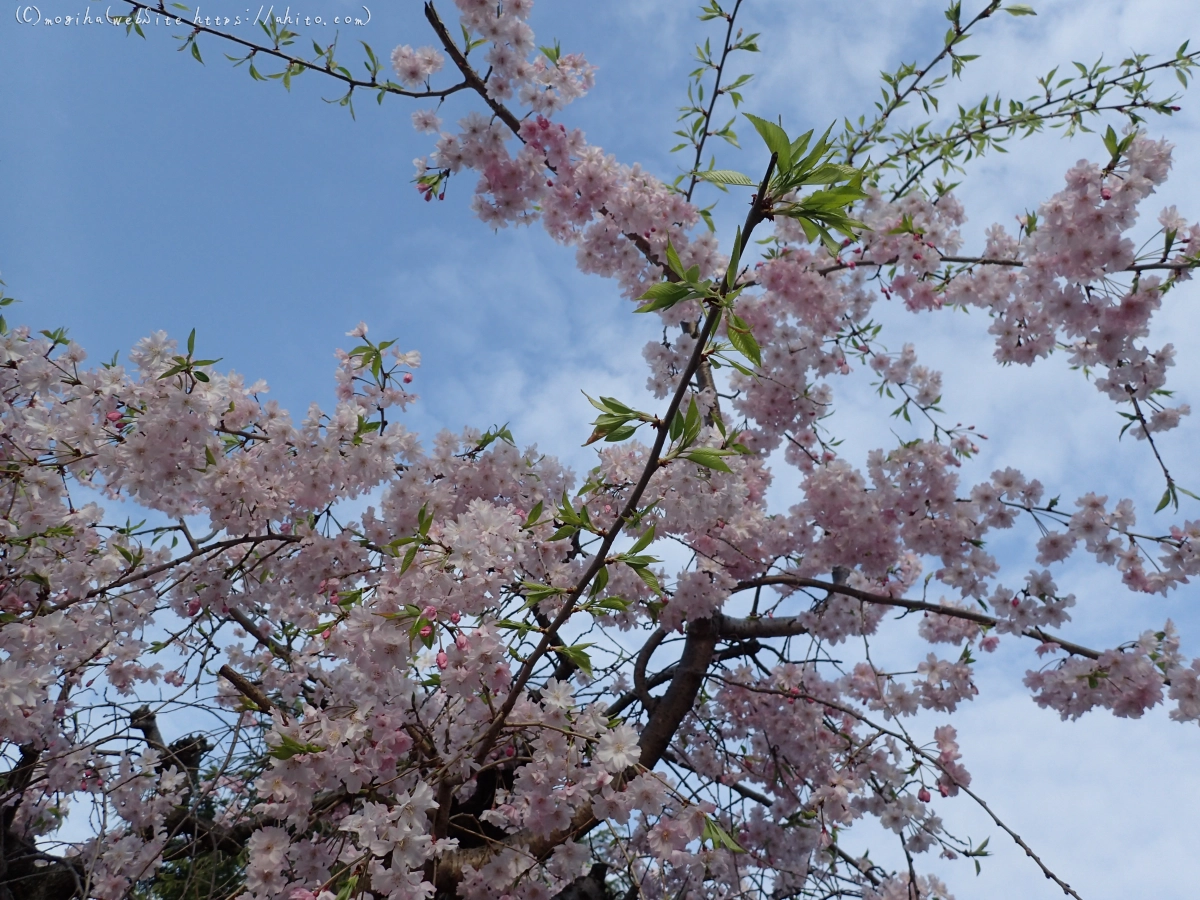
[{"x": 142, "y": 191}]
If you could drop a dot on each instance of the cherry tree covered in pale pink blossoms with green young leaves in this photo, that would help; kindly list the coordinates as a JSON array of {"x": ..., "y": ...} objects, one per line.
[{"x": 489, "y": 685}]
